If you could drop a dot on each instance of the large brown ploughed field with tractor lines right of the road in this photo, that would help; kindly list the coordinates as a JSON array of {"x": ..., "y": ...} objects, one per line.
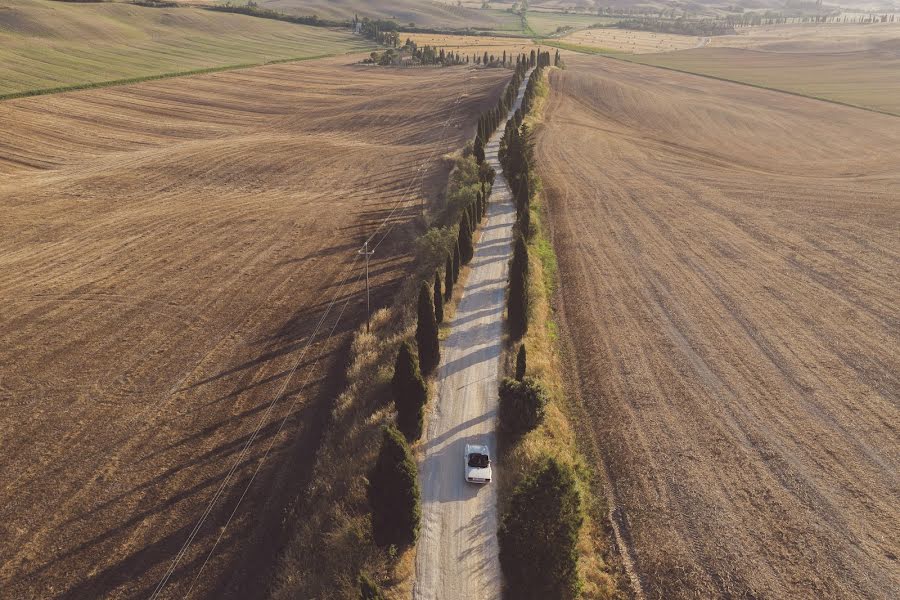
[{"x": 729, "y": 261}]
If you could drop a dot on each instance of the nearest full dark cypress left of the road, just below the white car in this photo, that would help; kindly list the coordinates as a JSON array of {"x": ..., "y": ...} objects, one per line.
[{"x": 394, "y": 492}]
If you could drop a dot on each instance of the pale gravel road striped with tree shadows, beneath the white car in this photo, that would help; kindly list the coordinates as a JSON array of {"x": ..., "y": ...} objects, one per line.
[{"x": 457, "y": 550}]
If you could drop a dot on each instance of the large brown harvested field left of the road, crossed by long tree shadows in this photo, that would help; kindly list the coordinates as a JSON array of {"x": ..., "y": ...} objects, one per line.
[{"x": 166, "y": 251}]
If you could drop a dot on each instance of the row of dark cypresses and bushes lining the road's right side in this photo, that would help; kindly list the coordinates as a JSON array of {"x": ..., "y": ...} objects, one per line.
[{"x": 539, "y": 529}]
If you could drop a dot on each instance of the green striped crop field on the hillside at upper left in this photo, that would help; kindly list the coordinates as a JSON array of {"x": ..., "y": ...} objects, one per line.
[{"x": 45, "y": 44}]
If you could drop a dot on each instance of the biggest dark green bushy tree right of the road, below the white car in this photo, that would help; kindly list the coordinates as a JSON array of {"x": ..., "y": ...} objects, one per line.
[{"x": 538, "y": 535}]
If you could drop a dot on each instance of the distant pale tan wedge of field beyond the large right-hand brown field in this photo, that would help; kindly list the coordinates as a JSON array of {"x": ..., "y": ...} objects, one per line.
[{"x": 853, "y": 64}]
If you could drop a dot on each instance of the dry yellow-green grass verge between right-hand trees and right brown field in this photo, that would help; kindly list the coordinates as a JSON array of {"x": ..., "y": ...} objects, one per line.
[{"x": 556, "y": 436}]
